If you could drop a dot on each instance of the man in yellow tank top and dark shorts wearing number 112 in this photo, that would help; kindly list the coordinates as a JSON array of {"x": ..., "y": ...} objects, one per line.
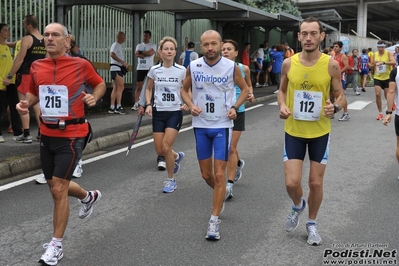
[{"x": 304, "y": 104}]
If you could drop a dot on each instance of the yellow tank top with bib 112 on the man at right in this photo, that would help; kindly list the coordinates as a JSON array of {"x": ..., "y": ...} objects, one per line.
[{"x": 307, "y": 92}]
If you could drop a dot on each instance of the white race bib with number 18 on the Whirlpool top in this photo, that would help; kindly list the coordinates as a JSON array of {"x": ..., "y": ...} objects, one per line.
[{"x": 212, "y": 107}]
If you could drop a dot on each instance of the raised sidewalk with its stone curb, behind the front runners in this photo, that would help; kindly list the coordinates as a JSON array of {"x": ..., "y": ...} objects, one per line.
[{"x": 18, "y": 159}]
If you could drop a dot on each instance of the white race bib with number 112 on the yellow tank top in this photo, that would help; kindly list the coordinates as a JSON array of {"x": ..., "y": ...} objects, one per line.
[{"x": 307, "y": 105}]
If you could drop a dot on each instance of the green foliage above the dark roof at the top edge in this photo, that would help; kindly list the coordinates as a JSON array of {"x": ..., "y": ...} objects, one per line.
[{"x": 273, "y": 6}]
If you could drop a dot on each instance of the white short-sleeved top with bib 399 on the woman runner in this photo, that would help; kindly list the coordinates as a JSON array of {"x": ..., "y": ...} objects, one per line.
[{"x": 167, "y": 85}]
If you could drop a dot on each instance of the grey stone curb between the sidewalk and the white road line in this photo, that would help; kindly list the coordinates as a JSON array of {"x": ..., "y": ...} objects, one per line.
[{"x": 32, "y": 162}]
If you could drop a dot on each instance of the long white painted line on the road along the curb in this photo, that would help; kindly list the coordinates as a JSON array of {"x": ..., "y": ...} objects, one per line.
[{"x": 100, "y": 157}]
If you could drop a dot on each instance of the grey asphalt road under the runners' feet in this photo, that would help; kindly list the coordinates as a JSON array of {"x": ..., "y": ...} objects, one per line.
[{"x": 136, "y": 224}]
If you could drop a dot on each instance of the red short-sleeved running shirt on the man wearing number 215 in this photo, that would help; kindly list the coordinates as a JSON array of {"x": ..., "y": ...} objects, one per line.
[{"x": 74, "y": 73}]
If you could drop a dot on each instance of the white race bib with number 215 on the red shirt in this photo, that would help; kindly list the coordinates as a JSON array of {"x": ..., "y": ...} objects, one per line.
[{"x": 53, "y": 100}]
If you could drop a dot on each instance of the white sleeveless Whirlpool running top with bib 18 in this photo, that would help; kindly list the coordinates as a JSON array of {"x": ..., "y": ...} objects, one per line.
[{"x": 213, "y": 90}]
